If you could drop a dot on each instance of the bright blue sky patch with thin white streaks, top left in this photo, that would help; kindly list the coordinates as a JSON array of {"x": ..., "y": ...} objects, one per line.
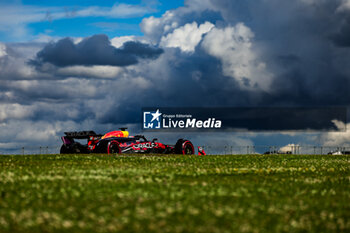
[{"x": 77, "y": 18}]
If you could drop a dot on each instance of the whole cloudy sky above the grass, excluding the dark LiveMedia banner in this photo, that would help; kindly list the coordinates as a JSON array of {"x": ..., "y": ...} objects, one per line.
[{"x": 83, "y": 64}]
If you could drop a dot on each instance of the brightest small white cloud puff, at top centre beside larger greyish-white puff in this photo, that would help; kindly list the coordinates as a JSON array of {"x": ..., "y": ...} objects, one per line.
[{"x": 186, "y": 37}]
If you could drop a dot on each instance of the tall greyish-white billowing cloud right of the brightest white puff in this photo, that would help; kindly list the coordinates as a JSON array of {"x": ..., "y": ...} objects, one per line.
[{"x": 234, "y": 47}]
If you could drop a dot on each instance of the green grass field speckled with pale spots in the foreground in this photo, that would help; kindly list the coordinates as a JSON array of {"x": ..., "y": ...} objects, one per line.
[{"x": 227, "y": 193}]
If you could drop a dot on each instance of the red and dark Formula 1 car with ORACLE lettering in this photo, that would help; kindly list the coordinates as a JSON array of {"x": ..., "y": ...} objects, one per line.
[{"x": 117, "y": 142}]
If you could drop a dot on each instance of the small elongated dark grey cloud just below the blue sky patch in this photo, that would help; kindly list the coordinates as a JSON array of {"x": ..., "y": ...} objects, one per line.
[{"x": 95, "y": 50}]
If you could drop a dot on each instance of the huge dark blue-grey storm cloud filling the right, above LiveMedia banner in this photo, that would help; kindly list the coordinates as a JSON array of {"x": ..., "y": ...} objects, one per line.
[{"x": 295, "y": 40}]
